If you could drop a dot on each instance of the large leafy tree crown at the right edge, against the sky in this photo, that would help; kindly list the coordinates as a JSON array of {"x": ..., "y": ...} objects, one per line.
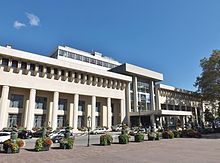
[{"x": 208, "y": 83}]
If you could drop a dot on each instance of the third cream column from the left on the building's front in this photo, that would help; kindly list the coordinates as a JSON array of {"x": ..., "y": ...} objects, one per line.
[{"x": 55, "y": 110}]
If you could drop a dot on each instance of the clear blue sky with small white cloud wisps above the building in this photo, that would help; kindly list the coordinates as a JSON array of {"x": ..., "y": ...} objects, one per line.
[{"x": 166, "y": 36}]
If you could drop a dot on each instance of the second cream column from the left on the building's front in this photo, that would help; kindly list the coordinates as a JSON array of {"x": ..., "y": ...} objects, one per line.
[{"x": 31, "y": 107}]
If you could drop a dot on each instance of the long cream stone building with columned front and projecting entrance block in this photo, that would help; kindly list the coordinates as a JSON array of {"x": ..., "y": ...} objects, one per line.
[{"x": 83, "y": 89}]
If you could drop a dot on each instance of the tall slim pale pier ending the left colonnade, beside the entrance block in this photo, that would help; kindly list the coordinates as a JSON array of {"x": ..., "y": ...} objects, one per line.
[{"x": 128, "y": 104}]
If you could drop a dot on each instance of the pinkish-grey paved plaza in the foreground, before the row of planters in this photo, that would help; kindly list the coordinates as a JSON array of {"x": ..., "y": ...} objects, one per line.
[{"x": 205, "y": 150}]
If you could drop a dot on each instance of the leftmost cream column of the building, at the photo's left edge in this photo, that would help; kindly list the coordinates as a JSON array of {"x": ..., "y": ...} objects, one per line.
[{"x": 4, "y": 107}]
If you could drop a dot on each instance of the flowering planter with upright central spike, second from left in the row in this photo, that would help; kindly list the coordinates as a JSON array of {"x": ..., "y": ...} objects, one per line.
[{"x": 43, "y": 143}]
